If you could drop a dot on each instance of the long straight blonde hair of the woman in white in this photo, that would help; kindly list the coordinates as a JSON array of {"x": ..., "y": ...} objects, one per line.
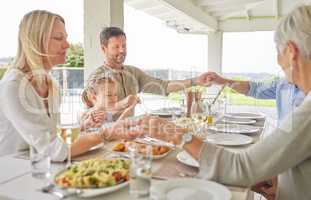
[{"x": 34, "y": 31}]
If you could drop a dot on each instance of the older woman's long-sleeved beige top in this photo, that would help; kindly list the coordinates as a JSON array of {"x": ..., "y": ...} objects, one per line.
[{"x": 286, "y": 152}]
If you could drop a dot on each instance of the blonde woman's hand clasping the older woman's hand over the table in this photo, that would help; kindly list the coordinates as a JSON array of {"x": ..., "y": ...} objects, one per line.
[{"x": 125, "y": 129}]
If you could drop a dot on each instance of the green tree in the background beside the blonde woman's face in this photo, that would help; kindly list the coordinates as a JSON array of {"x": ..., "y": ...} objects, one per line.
[{"x": 75, "y": 56}]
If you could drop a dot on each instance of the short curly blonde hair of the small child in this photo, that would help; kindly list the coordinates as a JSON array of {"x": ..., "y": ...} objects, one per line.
[{"x": 92, "y": 86}]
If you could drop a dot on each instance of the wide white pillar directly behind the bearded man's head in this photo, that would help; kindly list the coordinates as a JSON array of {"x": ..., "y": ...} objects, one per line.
[{"x": 98, "y": 14}]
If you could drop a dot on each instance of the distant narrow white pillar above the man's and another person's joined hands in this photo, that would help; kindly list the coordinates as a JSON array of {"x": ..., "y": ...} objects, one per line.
[{"x": 215, "y": 52}]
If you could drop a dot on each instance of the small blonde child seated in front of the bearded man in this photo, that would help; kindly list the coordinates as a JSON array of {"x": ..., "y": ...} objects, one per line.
[{"x": 101, "y": 100}]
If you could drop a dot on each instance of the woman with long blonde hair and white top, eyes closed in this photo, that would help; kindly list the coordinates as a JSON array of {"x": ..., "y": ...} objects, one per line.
[{"x": 29, "y": 102}]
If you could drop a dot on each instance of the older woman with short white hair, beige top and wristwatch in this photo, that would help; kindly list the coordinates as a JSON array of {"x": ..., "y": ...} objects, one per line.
[{"x": 287, "y": 151}]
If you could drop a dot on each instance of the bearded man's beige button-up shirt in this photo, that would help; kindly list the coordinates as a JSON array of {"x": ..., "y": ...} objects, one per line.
[{"x": 132, "y": 80}]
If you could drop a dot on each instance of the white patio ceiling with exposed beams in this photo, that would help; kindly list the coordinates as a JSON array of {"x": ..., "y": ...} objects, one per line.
[{"x": 204, "y": 16}]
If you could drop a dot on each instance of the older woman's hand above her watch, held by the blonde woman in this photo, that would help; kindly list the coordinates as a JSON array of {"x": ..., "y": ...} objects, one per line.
[{"x": 162, "y": 129}]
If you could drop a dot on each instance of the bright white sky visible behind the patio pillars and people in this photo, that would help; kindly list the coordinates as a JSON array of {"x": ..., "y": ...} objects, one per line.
[{"x": 151, "y": 44}]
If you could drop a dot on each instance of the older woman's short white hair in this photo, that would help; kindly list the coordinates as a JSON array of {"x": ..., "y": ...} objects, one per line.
[{"x": 295, "y": 27}]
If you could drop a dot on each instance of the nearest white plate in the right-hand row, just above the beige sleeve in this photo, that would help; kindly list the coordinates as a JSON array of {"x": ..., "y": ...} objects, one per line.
[{"x": 227, "y": 139}]
